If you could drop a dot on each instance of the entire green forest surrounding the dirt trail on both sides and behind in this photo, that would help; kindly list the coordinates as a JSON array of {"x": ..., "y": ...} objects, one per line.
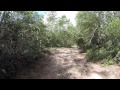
[{"x": 25, "y": 38}]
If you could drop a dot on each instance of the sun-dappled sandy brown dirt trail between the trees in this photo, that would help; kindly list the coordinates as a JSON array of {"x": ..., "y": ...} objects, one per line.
[{"x": 68, "y": 63}]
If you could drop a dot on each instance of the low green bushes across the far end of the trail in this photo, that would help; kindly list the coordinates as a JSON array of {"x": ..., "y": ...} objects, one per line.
[{"x": 60, "y": 39}]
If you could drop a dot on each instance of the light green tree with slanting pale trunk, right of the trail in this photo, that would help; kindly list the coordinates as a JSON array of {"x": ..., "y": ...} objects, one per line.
[{"x": 89, "y": 25}]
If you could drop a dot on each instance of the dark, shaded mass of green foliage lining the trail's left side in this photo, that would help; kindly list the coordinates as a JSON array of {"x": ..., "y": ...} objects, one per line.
[{"x": 21, "y": 40}]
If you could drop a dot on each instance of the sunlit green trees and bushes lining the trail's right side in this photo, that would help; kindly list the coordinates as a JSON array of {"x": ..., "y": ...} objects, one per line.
[{"x": 100, "y": 36}]
